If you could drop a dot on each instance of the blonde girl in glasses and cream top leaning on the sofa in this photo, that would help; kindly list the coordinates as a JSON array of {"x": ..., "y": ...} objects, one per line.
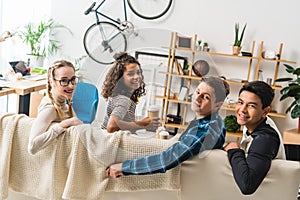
[{"x": 55, "y": 107}]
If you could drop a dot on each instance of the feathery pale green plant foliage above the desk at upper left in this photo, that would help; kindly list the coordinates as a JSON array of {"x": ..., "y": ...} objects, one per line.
[{"x": 40, "y": 36}]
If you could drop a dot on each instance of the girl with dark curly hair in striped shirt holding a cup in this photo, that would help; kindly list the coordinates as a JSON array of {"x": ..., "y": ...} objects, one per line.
[{"x": 123, "y": 85}]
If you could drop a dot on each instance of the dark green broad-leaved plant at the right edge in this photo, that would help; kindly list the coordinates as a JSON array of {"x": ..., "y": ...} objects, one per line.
[{"x": 292, "y": 91}]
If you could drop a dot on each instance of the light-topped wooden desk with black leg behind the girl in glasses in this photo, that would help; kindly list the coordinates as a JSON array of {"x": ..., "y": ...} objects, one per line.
[{"x": 23, "y": 88}]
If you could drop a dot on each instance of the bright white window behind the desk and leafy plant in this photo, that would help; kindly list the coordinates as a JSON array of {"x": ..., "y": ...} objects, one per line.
[{"x": 14, "y": 14}]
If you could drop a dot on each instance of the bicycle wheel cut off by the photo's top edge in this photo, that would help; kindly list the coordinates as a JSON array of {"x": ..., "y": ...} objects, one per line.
[{"x": 149, "y": 9}]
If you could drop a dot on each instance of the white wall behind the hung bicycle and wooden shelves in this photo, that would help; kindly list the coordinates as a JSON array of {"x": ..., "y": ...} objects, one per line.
[{"x": 213, "y": 21}]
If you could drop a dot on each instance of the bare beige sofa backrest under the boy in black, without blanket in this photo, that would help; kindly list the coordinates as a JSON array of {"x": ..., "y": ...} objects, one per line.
[{"x": 209, "y": 175}]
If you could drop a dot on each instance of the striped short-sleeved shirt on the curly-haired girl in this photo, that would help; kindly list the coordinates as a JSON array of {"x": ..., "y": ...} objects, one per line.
[{"x": 120, "y": 106}]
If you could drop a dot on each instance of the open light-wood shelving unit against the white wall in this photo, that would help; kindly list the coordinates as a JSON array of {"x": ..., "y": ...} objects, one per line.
[{"x": 173, "y": 72}]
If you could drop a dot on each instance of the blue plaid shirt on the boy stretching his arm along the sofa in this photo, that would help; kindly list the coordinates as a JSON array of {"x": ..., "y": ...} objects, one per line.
[{"x": 201, "y": 134}]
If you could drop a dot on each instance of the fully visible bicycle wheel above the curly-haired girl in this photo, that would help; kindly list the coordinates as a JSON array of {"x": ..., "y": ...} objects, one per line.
[{"x": 101, "y": 41}]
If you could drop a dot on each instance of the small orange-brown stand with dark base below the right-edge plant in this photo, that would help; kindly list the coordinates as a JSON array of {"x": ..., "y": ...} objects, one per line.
[{"x": 291, "y": 140}]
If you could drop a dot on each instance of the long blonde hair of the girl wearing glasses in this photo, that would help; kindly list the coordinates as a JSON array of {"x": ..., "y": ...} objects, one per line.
[{"x": 50, "y": 73}]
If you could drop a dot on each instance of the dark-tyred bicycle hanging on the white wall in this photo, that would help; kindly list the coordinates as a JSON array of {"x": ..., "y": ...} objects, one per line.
[{"x": 104, "y": 38}]
